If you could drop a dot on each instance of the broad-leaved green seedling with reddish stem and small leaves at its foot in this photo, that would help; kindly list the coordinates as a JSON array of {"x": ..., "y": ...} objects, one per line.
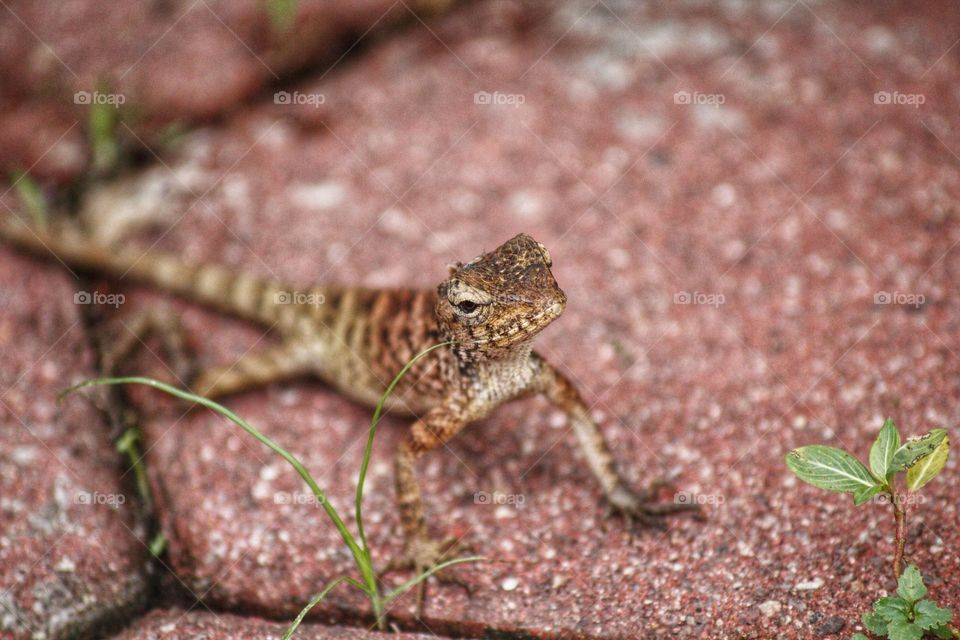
[{"x": 908, "y": 615}]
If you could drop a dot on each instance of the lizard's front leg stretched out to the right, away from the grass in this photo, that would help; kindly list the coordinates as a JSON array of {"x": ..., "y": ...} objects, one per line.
[{"x": 563, "y": 394}]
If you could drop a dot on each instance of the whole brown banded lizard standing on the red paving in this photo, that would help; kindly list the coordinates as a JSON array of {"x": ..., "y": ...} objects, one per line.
[{"x": 489, "y": 309}]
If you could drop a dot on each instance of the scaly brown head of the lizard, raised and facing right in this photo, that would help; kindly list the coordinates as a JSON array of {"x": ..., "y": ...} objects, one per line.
[{"x": 499, "y": 300}]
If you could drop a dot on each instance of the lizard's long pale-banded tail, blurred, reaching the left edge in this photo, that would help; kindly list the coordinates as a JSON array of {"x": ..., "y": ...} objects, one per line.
[{"x": 231, "y": 290}]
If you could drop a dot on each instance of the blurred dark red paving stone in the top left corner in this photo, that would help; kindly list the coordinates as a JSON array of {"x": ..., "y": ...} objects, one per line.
[{"x": 157, "y": 62}]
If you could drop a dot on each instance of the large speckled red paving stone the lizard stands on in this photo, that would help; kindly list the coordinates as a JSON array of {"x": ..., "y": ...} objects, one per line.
[{"x": 732, "y": 155}]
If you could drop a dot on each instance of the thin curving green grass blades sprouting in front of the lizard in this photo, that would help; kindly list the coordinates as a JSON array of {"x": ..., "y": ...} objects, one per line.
[{"x": 368, "y": 581}]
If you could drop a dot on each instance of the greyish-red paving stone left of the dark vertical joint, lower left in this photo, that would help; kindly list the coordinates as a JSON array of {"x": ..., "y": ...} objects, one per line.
[{"x": 70, "y": 553}]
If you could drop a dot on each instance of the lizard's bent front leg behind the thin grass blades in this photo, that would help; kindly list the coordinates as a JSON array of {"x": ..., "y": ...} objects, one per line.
[{"x": 422, "y": 552}]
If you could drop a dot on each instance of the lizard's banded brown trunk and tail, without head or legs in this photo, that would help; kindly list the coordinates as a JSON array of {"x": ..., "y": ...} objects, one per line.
[{"x": 355, "y": 339}]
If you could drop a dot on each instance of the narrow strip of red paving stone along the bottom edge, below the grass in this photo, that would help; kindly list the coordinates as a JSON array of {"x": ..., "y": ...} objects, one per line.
[{"x": 173, "y": 624}]
